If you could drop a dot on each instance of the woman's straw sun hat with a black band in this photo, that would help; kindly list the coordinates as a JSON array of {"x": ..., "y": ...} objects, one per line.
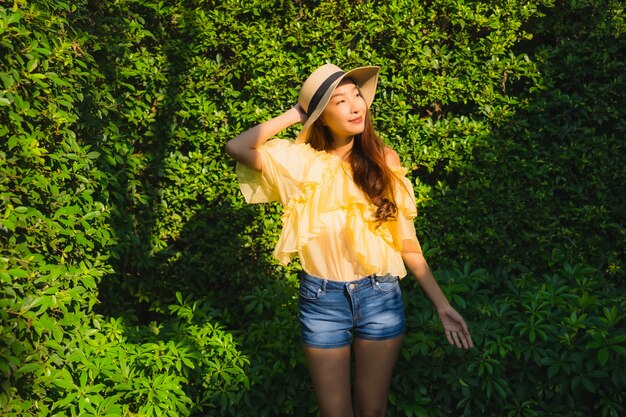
[{"x": 318, "y": 88}]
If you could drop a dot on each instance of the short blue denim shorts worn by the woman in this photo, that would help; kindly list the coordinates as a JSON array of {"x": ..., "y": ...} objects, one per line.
[{"x": 331, "y": 312}]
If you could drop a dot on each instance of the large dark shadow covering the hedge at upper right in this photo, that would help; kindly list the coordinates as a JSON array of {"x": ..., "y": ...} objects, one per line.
[{"x": 549, "y": 186}]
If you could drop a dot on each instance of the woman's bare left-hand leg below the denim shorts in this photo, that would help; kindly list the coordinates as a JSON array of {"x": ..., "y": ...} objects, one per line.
[{"x": 330, "y": 373}]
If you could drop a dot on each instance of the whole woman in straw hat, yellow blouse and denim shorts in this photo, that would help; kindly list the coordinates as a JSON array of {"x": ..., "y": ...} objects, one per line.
[{"x": 348, "y": 215}]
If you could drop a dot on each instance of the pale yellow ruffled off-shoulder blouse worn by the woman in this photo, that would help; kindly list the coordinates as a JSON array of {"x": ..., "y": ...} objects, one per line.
[{"x": 327, "y": 220}]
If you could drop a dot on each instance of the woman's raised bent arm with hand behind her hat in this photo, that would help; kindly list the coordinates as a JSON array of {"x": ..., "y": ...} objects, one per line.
[{"x": 244, "y": 147}]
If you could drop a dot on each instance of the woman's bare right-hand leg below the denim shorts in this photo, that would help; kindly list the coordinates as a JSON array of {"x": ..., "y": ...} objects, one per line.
[{"x": 374, "y": 363}]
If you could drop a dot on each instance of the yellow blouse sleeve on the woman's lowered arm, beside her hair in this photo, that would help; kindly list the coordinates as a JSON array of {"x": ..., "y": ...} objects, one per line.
[{"x": 407, "y": 211}]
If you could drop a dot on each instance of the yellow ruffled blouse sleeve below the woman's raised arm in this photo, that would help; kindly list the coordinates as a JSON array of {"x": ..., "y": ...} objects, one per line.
[{"x": 285, "y": 168}]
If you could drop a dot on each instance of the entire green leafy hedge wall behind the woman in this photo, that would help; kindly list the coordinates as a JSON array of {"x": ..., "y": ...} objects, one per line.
[{"x": 135, "y": 281}]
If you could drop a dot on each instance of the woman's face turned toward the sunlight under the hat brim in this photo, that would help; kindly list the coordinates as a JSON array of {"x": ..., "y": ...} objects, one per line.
[{"x": 344, "y": 114}]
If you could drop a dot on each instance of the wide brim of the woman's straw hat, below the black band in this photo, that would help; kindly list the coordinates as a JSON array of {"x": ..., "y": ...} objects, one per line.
[{"x": 366, "y": 78}]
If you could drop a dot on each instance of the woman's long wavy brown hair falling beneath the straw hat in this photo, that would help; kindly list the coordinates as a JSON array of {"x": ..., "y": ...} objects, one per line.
[{"x": 369, "y": 167}]
